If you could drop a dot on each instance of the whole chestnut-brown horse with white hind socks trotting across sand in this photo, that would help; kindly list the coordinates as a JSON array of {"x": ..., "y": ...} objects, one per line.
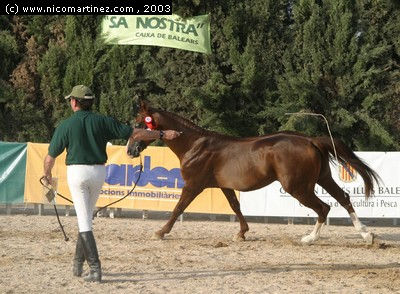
[{"x": 212, "y": 160}]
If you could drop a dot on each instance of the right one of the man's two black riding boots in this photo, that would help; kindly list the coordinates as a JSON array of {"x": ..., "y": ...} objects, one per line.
[{"x": 92, "y": 257}]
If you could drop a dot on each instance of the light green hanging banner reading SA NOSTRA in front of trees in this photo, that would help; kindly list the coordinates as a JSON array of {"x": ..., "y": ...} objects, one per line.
[{"x": 191, "y": 34}]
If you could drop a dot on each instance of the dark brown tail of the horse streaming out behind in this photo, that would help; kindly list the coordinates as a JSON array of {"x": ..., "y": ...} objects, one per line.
[{"x": 346, "y": 155}]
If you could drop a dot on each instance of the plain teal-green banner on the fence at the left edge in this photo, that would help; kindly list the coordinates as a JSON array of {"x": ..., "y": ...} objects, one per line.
[{"x": 12, "y": 172}]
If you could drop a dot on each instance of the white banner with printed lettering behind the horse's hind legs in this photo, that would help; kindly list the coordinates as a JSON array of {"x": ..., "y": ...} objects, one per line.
[{"x": 274, "y": 201}]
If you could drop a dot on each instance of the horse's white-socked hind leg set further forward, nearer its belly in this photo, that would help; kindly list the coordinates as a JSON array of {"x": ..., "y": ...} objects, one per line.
[{"x": 321, "y": 208}]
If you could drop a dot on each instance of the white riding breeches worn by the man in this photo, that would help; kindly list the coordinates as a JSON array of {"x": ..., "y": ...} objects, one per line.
[{"x": 85, "y": 182}]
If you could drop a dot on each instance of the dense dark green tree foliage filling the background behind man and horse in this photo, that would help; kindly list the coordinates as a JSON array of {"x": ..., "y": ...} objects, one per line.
[{"x": 339, "y": 58}]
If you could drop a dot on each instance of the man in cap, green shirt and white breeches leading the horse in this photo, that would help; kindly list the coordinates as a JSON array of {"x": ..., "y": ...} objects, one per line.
[{"x": 85, "y": 135}]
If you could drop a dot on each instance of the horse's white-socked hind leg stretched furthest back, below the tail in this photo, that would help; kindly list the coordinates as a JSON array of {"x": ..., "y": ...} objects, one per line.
[{"x": 344, "y": 199}]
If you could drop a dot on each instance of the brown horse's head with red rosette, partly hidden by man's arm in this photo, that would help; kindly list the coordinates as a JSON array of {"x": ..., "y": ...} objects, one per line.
[{"x": 143, "y": 119}]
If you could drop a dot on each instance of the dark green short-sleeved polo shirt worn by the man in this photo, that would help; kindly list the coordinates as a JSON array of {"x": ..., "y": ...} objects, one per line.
[{"x": 85, "y": 135}]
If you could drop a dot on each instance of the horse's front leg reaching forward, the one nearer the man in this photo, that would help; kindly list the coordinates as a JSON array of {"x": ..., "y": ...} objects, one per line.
[{"x": 187, "y": 196}]
